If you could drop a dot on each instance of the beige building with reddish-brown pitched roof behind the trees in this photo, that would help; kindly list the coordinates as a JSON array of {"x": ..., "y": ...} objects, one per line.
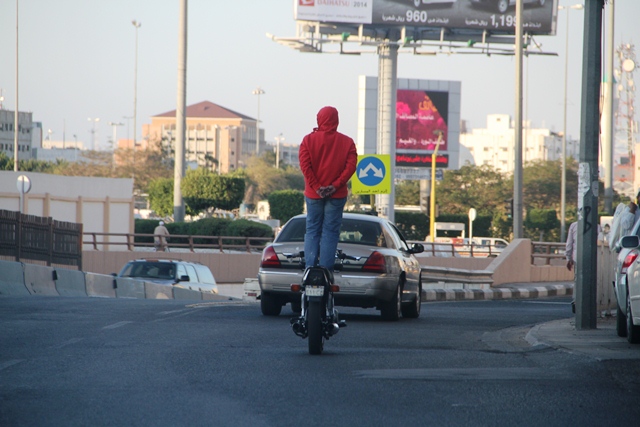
[{"x": 214, "y": 134}]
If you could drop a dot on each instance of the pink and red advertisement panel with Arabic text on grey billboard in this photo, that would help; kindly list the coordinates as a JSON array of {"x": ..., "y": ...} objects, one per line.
[{"x": 420, "y": 115}]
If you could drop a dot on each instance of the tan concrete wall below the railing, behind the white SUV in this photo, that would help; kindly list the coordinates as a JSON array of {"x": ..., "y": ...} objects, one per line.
[{"x": 226, "y": 268}]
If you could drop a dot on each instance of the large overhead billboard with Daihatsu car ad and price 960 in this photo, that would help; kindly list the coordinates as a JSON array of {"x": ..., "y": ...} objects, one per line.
[{"x": 539, "y": 16}]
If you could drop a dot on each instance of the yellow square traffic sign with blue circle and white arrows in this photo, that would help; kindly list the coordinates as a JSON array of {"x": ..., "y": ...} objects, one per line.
[{"x": 373, "y": 174}]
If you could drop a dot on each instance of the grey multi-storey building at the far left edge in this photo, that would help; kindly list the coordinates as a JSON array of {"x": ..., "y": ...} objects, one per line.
[{"x": 26, "y": 134}]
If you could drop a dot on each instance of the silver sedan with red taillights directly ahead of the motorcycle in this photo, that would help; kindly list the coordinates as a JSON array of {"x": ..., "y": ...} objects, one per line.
[{"x": 386, "y": 274}]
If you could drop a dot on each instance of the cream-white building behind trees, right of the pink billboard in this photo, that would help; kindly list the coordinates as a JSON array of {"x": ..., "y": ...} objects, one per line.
[{"x": 495, "y": 145}]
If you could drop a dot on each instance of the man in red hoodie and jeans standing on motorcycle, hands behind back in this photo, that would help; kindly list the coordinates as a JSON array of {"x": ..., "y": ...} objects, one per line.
[{"x": 327, "y": 159}]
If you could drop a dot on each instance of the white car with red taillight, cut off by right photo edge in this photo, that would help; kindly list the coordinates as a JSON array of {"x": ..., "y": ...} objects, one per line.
[{"x": 628, "y": 291}]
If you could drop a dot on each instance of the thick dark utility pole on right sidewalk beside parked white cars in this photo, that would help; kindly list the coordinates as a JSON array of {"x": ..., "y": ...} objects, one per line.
[{"x": 586, "y": 269}]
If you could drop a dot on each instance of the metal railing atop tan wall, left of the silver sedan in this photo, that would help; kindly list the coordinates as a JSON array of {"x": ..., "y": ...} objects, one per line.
[{"x": 100, "y": 241}]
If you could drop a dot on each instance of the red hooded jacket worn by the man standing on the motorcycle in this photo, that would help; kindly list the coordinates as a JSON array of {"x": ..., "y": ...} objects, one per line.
[{"x": 327, "y": 157}]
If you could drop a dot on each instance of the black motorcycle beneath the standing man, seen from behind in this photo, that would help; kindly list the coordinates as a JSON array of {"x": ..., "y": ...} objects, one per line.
[{"x": 319, "y": 320}]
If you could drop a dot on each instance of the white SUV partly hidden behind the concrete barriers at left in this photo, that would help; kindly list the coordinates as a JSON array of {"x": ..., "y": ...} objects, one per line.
[{"x": 170, "y": 272}]
